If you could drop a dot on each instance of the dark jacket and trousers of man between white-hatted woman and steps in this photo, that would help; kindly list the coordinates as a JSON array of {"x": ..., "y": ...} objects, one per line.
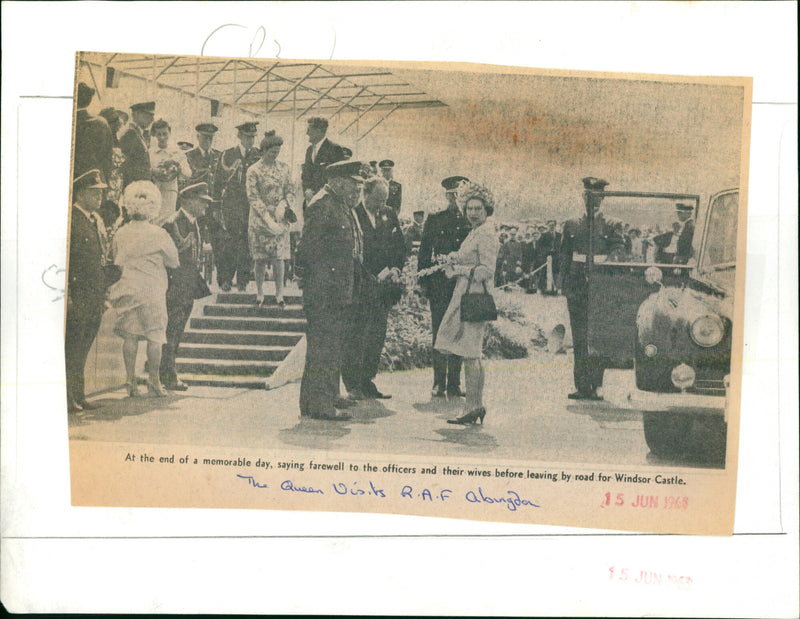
[{"x": 185, "y": 285}]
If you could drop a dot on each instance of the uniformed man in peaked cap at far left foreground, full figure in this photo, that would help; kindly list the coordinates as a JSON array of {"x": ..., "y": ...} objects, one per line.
[{"x": 86, "y": 284}]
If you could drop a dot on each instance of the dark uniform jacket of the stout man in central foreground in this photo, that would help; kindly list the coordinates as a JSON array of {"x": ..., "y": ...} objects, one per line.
[{"x": 325, "y": 254}]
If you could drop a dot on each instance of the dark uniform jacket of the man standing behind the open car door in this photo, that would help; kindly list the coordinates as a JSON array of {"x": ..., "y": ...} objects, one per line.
[{"x": 575, "y": 249}]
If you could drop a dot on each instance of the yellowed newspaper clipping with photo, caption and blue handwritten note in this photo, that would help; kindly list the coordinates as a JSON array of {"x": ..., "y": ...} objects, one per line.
[{"x": 285, "y": 269}]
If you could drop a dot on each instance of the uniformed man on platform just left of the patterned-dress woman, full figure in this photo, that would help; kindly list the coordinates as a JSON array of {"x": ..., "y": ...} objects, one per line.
[{"x": 232, "y": 251}]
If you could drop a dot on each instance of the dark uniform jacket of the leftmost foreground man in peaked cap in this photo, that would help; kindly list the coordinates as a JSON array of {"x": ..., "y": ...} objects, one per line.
[{"x": 86, "y": 286}]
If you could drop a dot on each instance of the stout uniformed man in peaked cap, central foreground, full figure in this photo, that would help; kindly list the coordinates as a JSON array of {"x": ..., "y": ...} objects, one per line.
[{"x": 329, "y": 262}]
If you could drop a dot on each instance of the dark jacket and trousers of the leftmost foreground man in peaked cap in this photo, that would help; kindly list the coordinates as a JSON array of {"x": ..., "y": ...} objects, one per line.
[{"x": 86, "y": 293}]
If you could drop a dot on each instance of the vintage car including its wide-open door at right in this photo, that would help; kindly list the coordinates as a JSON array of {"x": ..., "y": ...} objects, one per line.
[{"x": 667, "y": 316}]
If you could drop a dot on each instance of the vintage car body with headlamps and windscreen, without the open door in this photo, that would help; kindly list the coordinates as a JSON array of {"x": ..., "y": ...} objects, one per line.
[{"x": 683, "y": 344}]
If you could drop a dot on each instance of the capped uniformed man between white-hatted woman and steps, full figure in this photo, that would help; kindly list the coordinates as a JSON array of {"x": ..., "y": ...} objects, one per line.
[{"x": 185, "y": 283}]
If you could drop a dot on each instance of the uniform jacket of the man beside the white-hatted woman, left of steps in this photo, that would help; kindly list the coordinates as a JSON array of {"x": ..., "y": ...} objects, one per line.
[{"x": 185, "y": 283}]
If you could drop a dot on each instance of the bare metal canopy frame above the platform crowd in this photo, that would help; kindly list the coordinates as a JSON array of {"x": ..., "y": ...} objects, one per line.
[{"x": 260, "y": 88}]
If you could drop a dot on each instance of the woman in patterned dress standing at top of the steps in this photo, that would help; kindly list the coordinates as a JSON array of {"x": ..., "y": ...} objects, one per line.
[{"x": 270, "y": 193}]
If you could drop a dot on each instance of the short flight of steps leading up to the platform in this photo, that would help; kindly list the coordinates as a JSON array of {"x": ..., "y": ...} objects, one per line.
[{"x": 230, "y": 342}]
